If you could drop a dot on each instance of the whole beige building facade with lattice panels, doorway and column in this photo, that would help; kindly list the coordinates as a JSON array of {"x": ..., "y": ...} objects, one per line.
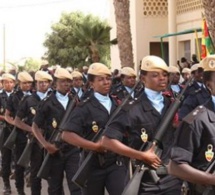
[{"x": 151, "y": 19}]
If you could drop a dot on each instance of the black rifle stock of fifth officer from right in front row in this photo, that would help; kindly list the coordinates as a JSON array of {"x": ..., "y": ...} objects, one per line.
[{"x": 26, "y": 155}]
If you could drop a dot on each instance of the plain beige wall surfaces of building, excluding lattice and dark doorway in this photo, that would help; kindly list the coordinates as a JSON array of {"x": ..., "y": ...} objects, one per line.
[{"x": 144, "y": 29}]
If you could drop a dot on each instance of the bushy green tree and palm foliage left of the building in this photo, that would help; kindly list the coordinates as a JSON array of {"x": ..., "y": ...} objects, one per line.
[{"x": 77, "y": 37}]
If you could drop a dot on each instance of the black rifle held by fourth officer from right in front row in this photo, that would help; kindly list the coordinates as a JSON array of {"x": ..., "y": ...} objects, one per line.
[{"x": 45, "y": 168}]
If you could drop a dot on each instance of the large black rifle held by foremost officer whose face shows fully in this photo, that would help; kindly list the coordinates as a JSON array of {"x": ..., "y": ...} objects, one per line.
[{"x": 134, "y": 183}]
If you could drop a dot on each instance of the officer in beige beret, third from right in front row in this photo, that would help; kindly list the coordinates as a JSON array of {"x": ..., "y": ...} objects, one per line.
[{"x": 84, "y": 122}]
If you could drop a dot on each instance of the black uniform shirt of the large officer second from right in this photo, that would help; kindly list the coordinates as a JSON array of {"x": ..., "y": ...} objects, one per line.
[{"x": 138, "y": 115}]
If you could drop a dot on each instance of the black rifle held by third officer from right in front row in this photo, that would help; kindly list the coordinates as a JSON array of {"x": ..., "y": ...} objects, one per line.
[{"x": 80, "y": 177}]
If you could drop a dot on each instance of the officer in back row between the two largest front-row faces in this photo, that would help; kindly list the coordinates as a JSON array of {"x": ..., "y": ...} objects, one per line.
[{"x": 128, "y": 81}]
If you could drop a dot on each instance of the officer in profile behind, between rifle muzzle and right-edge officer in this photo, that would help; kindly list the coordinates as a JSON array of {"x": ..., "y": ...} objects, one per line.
[{"x": 197, "y": 93}]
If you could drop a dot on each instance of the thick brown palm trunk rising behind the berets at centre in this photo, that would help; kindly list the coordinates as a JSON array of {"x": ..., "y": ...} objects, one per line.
[{"x": 122, "y": 18}]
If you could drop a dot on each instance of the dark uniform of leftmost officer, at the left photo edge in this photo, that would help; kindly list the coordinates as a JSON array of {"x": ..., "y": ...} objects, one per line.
[{"x": 6, "y": 153}]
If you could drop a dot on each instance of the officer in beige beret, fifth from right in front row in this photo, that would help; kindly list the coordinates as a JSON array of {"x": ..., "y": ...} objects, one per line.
[{"x": 27, "y": 111}]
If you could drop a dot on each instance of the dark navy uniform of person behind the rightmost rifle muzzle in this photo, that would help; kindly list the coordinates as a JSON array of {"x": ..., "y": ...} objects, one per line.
[{"x": 196, "y": 98}]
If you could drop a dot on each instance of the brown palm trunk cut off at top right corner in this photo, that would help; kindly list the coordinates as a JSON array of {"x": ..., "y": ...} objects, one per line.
[{"x": 209, "y": 7}]
